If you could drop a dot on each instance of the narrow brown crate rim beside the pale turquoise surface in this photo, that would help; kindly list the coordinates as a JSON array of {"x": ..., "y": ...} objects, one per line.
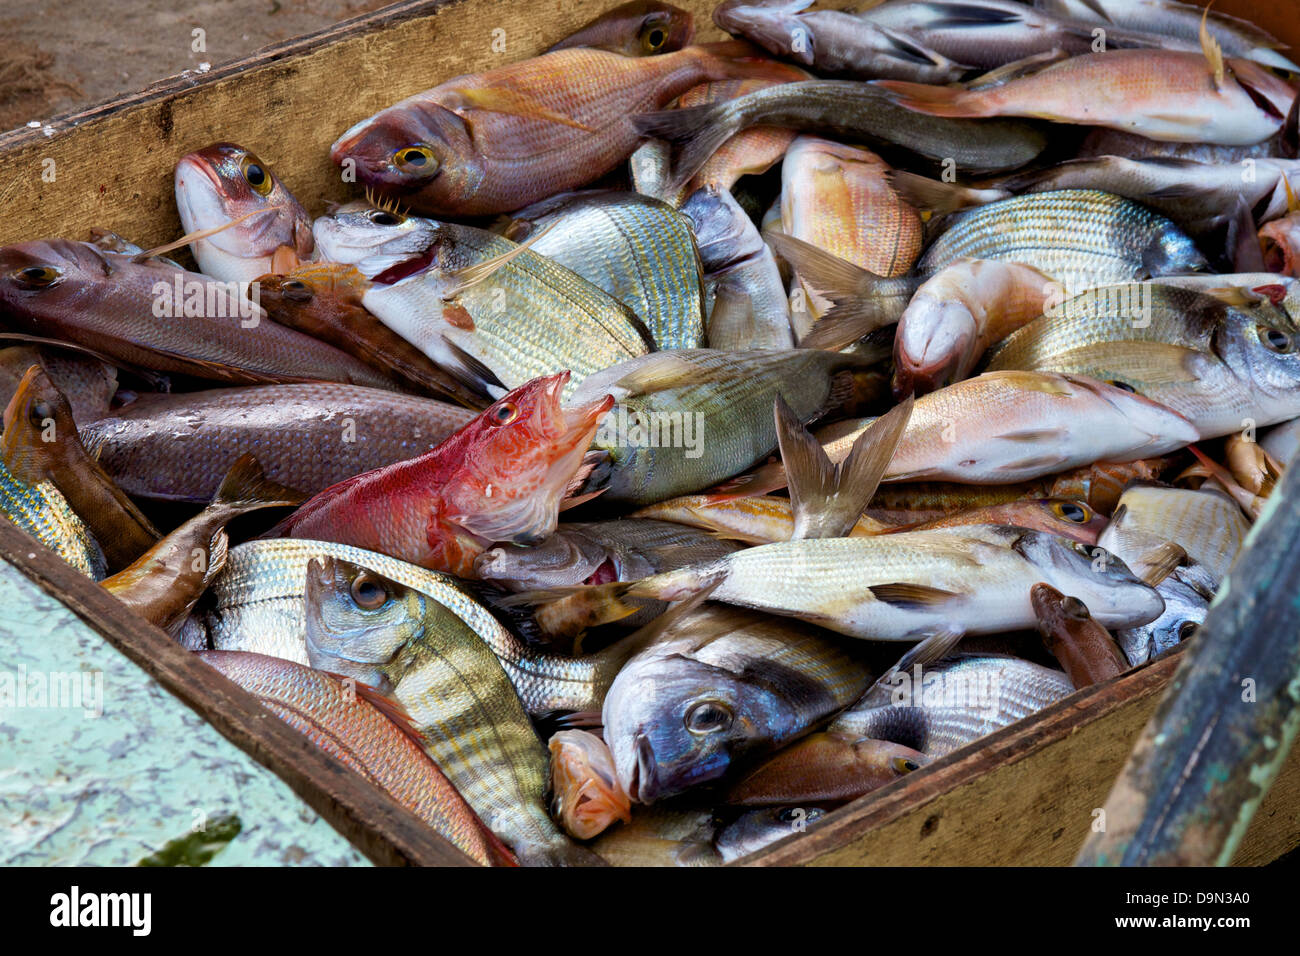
[{"x": 370, "y": 819}]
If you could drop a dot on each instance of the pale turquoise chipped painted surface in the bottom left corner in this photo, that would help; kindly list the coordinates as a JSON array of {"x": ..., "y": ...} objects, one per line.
[{"x": 118, "y": 771}]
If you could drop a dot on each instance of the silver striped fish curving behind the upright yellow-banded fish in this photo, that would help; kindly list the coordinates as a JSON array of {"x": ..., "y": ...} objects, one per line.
[{"x": 258, "y": 605}]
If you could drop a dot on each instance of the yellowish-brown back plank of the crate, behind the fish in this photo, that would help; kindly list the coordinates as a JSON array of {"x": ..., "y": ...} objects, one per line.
[{"x": 114, "y": 163}]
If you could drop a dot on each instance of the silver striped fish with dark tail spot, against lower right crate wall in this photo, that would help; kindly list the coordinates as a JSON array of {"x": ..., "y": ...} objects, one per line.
[{"x": 954, "y": 702}]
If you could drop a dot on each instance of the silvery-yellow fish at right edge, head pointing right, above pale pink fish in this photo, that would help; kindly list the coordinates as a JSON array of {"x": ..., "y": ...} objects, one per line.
[{"x": 1223, "y": 367}]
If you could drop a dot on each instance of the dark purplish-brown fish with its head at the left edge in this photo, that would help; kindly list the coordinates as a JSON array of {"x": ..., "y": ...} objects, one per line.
[{"x": 148, "y": 314}]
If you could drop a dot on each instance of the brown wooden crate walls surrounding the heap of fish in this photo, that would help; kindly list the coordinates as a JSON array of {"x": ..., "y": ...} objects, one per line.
[{"x": 1025, "y": 795}]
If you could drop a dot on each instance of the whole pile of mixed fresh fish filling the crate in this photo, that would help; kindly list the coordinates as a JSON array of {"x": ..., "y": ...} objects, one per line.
[{"x": 681, "y": 440}]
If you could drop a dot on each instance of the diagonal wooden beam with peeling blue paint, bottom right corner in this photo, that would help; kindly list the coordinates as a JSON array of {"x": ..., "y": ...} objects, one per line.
[{"x": 1230, "y": 717}]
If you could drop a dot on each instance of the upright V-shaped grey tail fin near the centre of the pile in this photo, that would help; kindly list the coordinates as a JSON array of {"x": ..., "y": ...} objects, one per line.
[{"x": 830, "y": 499}]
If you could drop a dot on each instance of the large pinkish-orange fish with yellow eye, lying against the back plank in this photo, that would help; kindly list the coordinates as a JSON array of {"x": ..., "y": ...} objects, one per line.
[{"x": 497, "y": 141}]
